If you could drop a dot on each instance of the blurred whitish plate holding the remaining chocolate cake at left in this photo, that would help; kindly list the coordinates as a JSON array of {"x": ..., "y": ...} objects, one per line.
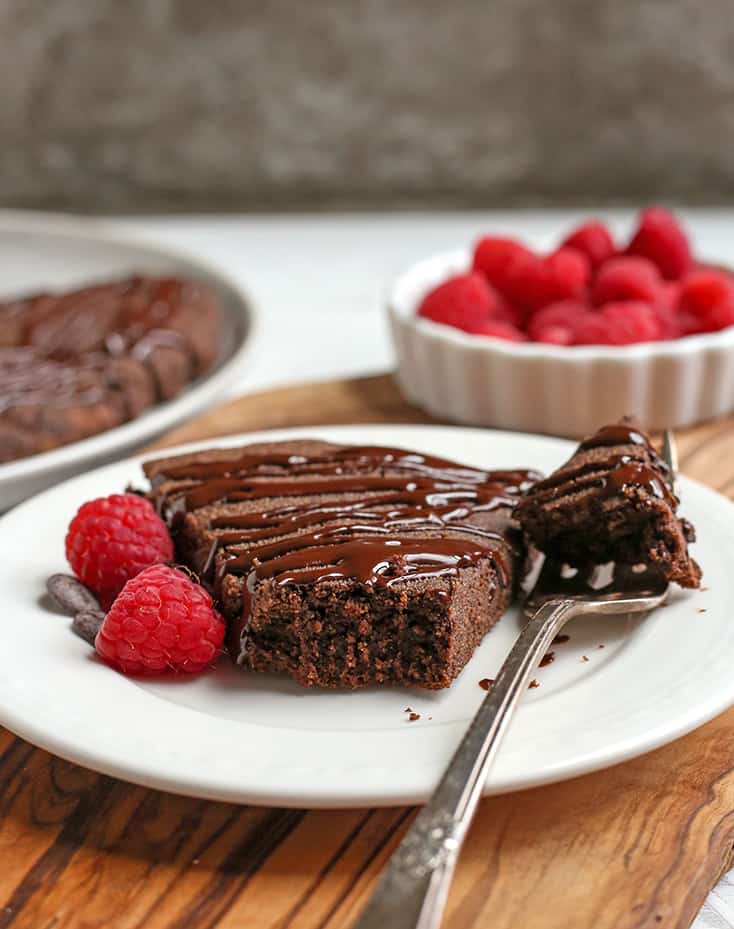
[{"x": 55, "y": 252}]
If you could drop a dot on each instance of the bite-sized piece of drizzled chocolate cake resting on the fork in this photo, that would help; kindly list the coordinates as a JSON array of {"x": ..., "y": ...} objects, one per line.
[{"x": 612, "y": 501}]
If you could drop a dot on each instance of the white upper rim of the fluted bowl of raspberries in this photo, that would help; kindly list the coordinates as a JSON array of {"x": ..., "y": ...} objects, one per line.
[{"x": 404, "y": 312}]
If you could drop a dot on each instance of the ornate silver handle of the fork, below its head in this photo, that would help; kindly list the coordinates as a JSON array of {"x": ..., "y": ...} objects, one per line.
[{"x": 413, "y": 889}]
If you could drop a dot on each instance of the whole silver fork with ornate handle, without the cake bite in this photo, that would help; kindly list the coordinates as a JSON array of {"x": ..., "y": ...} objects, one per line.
[{"x": 413, "y": 889}]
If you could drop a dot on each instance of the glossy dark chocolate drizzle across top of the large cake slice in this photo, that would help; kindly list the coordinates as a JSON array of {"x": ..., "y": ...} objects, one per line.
[{"x": 407, "y": 516}]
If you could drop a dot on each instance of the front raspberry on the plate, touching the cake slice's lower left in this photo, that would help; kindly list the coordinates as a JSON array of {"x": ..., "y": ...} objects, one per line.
[{"x": 161, "y": 621}]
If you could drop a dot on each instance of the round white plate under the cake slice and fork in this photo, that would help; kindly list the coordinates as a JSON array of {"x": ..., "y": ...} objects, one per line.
[{"x": 244, "y": 737}]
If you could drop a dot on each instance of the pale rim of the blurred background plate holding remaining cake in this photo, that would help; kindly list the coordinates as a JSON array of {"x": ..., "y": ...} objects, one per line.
[{"x": 158, "y": 418}]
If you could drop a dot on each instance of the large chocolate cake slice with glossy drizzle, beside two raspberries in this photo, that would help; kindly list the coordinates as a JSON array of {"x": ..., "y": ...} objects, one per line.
[{"x": 346, "y": 566}]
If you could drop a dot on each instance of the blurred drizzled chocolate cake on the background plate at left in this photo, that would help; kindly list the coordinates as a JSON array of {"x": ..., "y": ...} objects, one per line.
[{"x": 77, "y": 363}]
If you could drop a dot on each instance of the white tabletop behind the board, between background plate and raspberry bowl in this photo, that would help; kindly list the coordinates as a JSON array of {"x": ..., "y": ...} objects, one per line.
[{"x": 318, "y": 283}]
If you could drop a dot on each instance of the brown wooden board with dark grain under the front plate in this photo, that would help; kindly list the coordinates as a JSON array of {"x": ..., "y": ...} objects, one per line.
[{"x": 638, "y": 845}]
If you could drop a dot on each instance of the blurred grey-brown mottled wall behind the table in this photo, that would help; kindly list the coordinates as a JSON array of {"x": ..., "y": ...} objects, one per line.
[{"x": 188, "y": 104}]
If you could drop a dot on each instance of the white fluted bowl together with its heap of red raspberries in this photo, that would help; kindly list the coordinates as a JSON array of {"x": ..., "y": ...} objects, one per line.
[{"x": 500, "y": 335}]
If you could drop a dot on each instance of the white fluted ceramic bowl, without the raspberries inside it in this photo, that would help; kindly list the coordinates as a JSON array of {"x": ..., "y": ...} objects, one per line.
[{"x": 559, "y": 390}]
